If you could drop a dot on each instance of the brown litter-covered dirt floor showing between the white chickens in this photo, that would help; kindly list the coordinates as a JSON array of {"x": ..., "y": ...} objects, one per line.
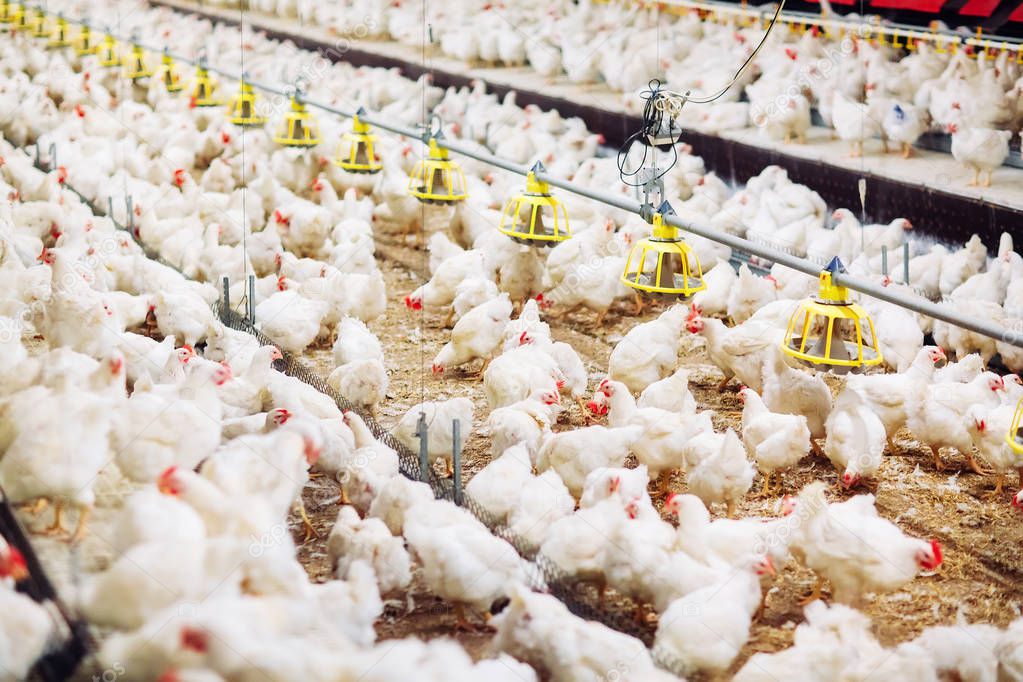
[{"x": 982, "y": 579}]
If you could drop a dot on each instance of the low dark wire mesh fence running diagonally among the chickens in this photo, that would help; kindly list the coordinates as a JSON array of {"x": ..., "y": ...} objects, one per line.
[{"x": 583, "y": 599}]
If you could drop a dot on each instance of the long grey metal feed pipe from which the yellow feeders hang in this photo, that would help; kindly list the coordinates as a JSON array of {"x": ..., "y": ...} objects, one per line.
[{"x": 919, "y": 305}]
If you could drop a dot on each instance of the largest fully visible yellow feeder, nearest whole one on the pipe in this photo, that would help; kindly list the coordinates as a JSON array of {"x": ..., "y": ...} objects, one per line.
[{"x": 836, "y": 335}]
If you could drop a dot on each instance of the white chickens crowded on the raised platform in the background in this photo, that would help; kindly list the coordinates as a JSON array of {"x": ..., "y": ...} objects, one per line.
[{"x": 863, "y": 89}]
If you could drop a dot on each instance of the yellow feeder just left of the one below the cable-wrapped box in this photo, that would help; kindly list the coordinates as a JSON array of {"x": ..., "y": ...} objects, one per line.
[{"x": 536, "y": 217}]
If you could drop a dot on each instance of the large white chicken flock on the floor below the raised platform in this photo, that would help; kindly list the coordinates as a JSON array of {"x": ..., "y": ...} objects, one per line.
[{"x": 117, "y": 370}]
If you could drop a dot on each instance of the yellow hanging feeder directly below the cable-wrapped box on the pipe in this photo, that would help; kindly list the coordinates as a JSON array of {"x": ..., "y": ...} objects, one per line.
[{"x": 663, "y": 264}]
